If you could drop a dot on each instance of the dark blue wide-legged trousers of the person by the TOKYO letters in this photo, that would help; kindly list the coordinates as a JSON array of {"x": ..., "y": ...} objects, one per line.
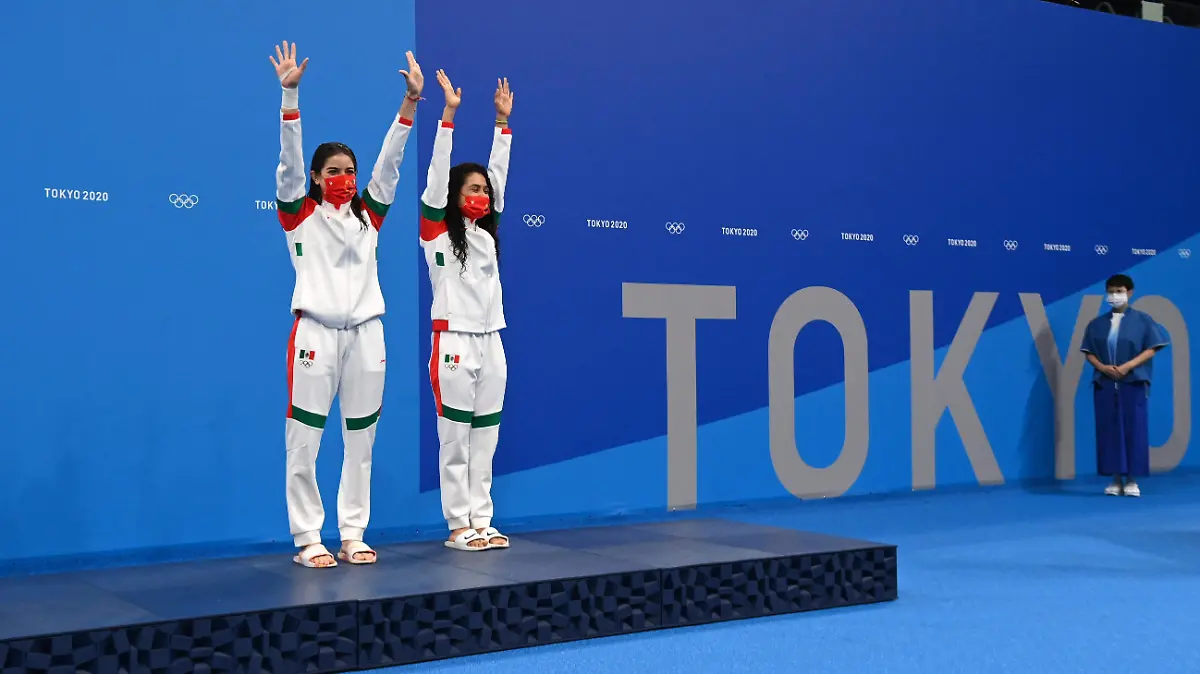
[{"x": 1123, "y": 429}]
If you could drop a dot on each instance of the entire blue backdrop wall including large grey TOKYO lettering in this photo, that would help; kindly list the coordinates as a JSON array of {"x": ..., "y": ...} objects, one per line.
[{"x": 741, "y": 243}]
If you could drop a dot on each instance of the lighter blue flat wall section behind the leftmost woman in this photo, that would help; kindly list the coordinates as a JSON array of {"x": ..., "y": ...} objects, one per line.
[{"x": 147, "y": 336}]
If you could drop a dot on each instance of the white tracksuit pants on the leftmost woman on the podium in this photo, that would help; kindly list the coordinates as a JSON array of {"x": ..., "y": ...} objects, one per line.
[{"x": 323, "y": 362}]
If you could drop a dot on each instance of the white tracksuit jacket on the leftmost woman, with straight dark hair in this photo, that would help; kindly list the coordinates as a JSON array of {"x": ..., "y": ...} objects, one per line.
[{"x": 335, "y": 258}]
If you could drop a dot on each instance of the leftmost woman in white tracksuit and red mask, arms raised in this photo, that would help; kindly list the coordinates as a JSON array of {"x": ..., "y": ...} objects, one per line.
[{"x": 337, "y": 345}]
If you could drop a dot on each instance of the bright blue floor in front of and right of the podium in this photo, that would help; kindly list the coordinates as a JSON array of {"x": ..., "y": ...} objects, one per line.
[{"x": 1007, "y": 580}]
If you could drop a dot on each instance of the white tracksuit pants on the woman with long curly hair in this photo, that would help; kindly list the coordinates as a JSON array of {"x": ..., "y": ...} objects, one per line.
[{"x": 469, "y": 374}]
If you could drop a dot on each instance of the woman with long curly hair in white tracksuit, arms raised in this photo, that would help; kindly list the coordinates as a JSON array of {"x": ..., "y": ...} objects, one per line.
[{"x": 461, "y": 208}]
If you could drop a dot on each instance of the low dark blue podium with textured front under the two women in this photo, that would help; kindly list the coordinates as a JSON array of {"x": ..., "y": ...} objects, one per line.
[{"x": 423, "y": 601}]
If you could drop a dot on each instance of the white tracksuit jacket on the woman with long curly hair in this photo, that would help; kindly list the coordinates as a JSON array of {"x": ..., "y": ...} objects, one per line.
[{"x": 464, "y": 300}]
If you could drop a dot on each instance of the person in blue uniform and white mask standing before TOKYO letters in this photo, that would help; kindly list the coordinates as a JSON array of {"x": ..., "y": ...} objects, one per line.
[{"x": 1120, "y": 346}]
